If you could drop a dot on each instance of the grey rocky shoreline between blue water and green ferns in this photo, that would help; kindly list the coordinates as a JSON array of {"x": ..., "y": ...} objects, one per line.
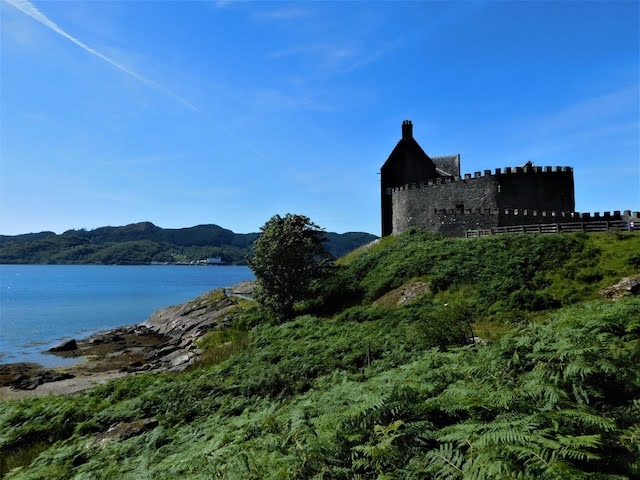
[{"x": 165, "y": 342}]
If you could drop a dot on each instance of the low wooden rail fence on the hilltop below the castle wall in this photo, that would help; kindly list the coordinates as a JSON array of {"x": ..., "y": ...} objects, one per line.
[{"x": 602, "y": 226}]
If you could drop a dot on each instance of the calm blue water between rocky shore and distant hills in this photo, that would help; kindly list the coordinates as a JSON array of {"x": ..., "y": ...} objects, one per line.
[{"x": 40, "y": 305}]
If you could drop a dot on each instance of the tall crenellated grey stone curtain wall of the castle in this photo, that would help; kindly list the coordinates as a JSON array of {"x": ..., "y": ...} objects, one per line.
[{"x": 453, "y": 205}]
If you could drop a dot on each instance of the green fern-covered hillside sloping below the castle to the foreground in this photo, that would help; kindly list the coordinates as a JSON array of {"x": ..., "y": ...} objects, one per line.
[{"x": 376, "y": 377}]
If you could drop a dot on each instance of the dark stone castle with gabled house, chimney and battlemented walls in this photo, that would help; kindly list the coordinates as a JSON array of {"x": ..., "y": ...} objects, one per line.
[{"x": 429, "y": 192}]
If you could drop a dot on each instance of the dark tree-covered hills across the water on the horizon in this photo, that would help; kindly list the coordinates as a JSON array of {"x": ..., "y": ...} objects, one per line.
[{"x": 143, "y": 243}]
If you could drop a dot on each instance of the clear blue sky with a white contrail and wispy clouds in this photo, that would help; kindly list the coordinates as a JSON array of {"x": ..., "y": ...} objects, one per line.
[{"x": 184, "y": 113}]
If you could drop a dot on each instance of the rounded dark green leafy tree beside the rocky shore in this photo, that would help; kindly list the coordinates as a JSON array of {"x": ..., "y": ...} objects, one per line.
[{"x": 289, "y": 257}]
